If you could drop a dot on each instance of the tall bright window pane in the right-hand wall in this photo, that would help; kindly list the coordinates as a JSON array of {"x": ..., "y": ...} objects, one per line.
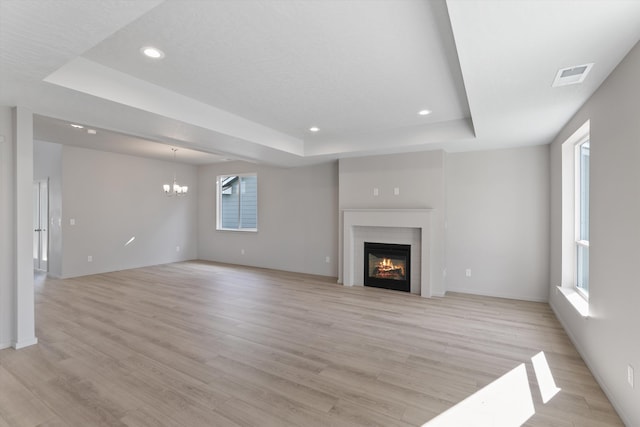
[{"x": 582, "y": 217}]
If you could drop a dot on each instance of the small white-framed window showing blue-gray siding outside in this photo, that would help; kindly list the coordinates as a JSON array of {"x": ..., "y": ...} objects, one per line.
[{"x": 237, "y": 207}]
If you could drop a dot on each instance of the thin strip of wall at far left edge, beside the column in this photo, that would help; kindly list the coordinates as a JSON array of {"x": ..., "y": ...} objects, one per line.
[{"x": 7, "y": 258}]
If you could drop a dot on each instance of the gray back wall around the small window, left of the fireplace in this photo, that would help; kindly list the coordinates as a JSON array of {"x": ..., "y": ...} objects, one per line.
[{"x": 297, "y": 219}]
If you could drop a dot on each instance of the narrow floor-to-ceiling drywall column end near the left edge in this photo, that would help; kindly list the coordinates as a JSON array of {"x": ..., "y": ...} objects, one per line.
[{"x": 23, "y": 237}]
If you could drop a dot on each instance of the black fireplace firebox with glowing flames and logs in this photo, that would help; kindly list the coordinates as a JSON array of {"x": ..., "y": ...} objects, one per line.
[{"x": 387, "y": 266}]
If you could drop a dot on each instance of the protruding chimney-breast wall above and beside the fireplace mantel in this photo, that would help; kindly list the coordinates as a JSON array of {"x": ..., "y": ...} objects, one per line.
[{"x": 420, "y": 178}]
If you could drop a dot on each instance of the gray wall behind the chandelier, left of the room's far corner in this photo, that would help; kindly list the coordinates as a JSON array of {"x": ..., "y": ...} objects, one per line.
[{"x": 114, "y": 197}]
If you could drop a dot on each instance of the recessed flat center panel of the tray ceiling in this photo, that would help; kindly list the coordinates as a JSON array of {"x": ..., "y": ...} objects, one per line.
[{"x": 290, "y": 65}]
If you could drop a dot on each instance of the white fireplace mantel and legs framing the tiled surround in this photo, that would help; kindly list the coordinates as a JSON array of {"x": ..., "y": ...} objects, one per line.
[{"x": 388, "y": 218}]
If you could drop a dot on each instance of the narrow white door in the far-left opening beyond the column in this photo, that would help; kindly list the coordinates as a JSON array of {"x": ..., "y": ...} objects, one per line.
[{"x": 40, "y": 224}]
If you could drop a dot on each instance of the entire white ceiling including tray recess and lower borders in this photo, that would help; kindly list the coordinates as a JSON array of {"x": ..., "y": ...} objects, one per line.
[{"x": 247, "y": 79}]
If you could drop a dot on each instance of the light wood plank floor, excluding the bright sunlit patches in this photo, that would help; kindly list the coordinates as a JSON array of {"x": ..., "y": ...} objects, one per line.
[{"x": 204, "y": 344}]
